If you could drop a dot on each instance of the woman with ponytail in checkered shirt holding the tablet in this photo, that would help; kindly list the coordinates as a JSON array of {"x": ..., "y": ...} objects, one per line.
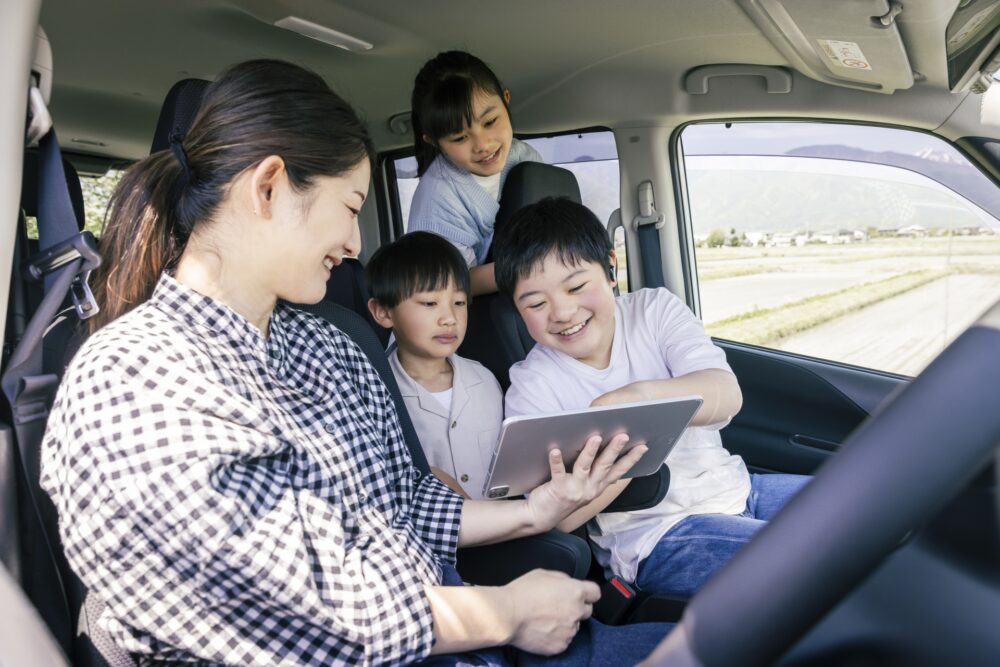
[{"x": 230, "y": 472}]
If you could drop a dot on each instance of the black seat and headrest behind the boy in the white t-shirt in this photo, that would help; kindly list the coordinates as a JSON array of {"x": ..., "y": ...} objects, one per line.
[{"x": 496, "y": 336}]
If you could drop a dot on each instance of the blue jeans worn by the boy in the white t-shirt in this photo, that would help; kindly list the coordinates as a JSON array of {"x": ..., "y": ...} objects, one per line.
[{"x": 692, "y": 551}]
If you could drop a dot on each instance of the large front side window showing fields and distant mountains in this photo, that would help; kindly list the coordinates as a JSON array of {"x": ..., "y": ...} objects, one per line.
[{"x": 870, "y": 246}]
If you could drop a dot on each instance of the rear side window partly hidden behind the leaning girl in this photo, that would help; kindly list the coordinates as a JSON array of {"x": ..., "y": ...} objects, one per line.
[{"x": 591, "y": 156}]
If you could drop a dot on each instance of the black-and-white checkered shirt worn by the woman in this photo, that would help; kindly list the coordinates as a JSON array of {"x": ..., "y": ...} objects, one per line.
[{"x": 244, "y": 500}]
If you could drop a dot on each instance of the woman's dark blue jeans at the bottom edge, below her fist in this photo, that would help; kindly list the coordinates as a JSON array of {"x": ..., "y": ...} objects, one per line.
[{"x": 596, "y": 644}]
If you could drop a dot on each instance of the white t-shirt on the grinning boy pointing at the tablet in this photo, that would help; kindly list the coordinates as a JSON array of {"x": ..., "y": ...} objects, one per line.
[{"x": 656, "y": 337}]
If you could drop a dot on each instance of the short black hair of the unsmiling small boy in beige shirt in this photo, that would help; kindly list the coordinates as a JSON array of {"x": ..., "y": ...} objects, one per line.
[{"x": 415, "y": 262}]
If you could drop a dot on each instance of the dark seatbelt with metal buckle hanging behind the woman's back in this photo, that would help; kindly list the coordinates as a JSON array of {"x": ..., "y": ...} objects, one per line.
[{"x": 64, "y": 263}]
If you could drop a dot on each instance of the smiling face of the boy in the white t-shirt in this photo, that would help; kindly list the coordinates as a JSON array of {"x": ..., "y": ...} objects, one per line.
[{"x": 570, "y": 308}]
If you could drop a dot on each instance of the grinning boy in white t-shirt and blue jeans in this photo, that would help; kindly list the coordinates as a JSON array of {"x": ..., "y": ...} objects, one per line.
[{"x": 555, "y": 261}]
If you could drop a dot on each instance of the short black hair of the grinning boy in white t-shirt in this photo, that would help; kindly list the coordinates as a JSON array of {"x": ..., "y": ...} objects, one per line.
[{"x": 558, "y": 225}]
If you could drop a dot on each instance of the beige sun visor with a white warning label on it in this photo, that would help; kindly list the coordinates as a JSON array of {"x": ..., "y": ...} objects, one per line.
[{"x": 851, "y": 44}]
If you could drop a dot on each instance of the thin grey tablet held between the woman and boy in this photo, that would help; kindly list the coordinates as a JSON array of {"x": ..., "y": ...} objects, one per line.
[{"x": 520, "y": 461}]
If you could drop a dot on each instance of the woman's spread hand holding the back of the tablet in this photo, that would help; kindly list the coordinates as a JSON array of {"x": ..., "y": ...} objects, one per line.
[{"x": 594, "y": 470}]
